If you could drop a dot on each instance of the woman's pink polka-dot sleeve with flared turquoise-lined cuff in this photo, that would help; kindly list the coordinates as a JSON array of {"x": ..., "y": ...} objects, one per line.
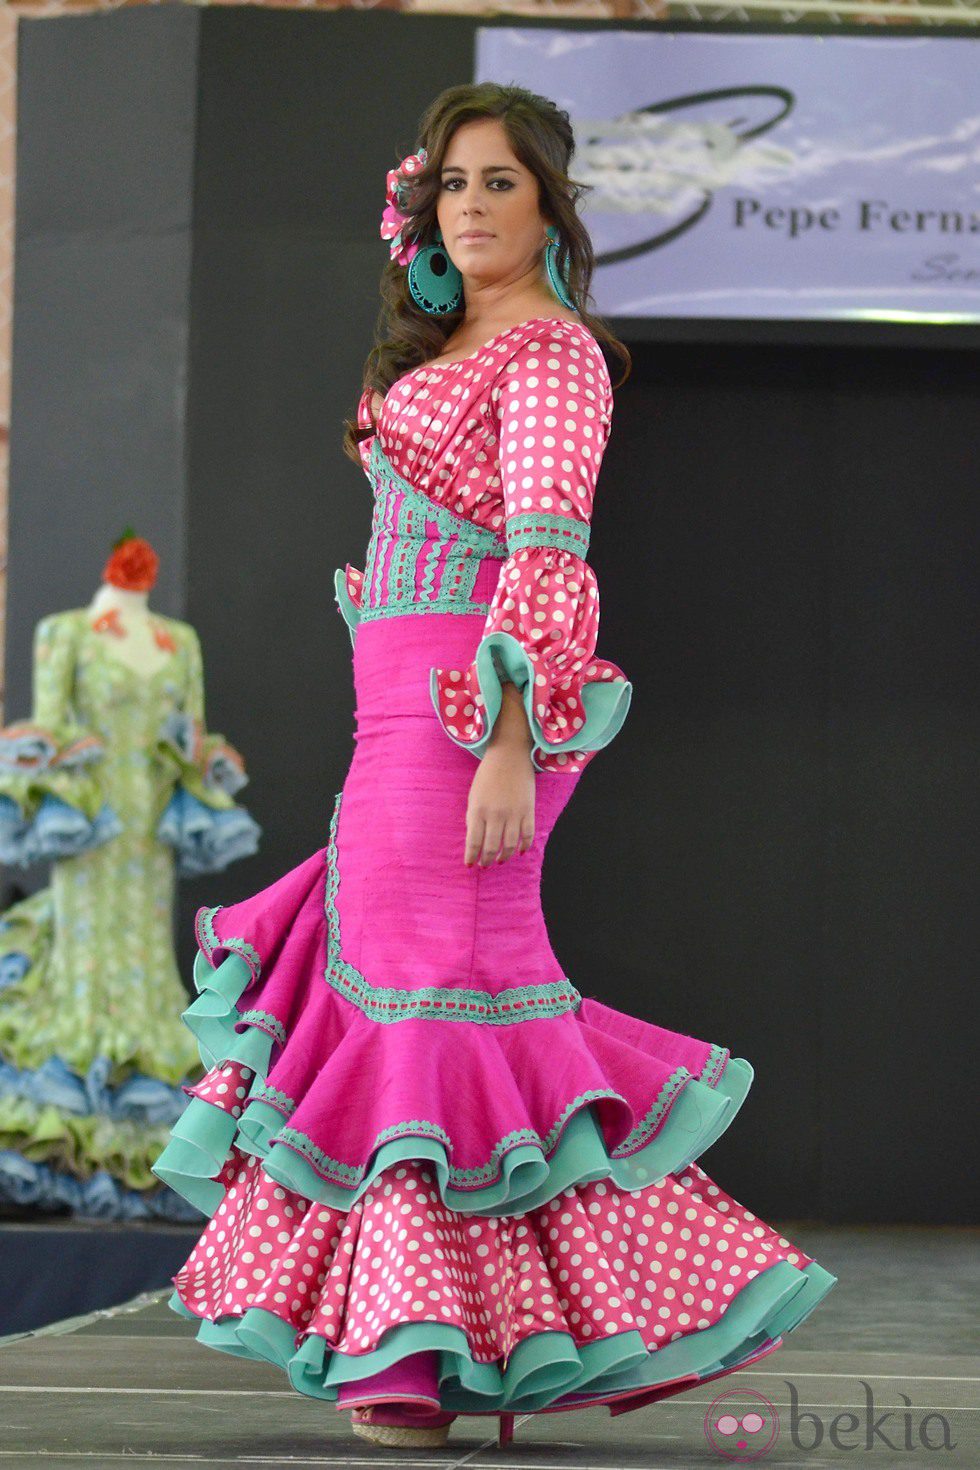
[{"x": 553, "y": 408}]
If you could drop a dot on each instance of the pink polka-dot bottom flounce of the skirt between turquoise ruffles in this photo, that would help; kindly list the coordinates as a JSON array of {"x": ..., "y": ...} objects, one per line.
[{"x": 665, "y": 1262}]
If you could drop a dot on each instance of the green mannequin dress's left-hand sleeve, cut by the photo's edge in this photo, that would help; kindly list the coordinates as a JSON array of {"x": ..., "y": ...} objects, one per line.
[{"x": 51, "y": 796}]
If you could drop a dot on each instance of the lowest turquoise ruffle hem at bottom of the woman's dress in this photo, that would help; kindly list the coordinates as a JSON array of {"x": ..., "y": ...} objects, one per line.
[{"x": 546, "y": 1369}]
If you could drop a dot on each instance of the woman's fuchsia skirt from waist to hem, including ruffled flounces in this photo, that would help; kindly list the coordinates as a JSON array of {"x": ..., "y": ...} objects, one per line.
[{"x": 436, "y": 1171}]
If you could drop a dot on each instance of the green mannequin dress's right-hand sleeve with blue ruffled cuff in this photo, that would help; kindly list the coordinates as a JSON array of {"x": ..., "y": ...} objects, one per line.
[{"x": 202, "y": 821}]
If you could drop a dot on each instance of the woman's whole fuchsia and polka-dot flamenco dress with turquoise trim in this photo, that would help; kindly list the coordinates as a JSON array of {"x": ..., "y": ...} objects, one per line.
[{"x": 439, "y": 1175}]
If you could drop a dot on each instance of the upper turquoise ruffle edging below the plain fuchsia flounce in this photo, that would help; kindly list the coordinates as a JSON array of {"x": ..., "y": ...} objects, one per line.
[{"x": 528, "y": 1178}]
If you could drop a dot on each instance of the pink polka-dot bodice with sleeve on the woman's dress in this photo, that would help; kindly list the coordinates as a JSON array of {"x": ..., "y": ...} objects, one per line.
[{"x": 512, "y": 439}]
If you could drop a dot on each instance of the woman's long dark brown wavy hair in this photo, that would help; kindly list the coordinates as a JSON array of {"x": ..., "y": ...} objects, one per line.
[{"x": 541, "y": 137}]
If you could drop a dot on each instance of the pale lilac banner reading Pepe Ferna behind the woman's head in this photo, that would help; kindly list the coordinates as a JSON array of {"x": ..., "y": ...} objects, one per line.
[{"x": 791, "y": 177}]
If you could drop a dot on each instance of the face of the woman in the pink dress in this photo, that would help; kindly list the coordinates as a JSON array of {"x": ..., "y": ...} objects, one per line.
[{"x": 487, "y": 190}]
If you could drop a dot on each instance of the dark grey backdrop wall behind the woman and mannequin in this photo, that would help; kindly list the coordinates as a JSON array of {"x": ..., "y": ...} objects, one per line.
[{"x": 778, "y": 853}]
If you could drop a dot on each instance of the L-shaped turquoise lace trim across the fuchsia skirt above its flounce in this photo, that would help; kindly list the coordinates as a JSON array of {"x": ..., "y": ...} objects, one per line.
[{"x": 387, "y": 1005}]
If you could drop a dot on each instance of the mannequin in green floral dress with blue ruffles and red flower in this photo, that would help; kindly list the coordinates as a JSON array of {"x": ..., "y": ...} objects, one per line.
[{"x": 117, "y": 781}]
